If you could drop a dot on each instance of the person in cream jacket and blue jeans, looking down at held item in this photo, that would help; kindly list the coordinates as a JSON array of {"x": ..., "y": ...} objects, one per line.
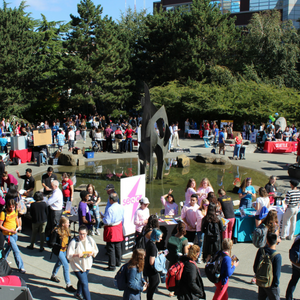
[{"x": 80, "y": 253}]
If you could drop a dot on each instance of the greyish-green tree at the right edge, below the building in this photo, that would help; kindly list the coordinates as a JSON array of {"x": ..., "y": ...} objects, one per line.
[{"x": 271, "y": 50}]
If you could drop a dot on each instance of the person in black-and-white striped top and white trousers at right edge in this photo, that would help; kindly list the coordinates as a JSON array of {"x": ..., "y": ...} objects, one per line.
[{"x": 292, "y": 200}]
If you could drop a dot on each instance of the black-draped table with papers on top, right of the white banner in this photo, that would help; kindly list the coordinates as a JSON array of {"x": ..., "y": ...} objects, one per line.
[{"x": 167, "y": 225}]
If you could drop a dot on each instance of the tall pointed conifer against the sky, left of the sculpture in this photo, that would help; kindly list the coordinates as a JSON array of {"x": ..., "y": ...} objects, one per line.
[{"x": 96, "y": 60}]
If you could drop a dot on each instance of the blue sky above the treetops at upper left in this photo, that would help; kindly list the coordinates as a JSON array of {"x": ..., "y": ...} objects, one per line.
[{"x": 60, "y": 10}]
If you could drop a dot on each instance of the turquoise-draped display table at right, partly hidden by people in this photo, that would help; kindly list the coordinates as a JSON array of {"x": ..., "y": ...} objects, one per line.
[{"x": 244, "y": 226}]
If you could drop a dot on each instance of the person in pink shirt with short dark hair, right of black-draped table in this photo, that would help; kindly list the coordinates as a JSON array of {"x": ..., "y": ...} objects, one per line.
[{"x": 188, "y": 216}]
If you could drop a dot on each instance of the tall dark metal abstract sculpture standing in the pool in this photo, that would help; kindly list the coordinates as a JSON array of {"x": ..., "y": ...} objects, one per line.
[{"x": 151, "y": 142}]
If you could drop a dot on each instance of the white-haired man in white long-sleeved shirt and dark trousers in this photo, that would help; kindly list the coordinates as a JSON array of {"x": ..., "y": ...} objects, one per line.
[{"x": 55, "y": 203}]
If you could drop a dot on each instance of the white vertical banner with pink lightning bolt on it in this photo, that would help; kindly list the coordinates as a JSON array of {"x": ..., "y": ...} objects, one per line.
[{"x": 132, "y": 189}]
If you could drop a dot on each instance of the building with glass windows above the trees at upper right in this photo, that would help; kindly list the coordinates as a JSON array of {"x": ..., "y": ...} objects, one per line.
[{"x": 244, "y": 9}]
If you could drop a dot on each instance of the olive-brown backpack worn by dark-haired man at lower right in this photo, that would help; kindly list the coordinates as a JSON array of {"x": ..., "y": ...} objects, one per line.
[{"x": 264, "y": 272}]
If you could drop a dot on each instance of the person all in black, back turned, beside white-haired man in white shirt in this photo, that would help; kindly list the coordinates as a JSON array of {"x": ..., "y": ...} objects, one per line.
[{"x": 39, "y": 213}]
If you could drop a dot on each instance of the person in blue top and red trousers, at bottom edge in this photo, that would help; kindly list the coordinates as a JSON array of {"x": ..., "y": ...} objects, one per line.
[{"x": 227, "y": 268}]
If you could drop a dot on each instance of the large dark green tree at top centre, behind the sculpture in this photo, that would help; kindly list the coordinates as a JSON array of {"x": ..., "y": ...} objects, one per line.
[{"x": 185, "y": 44}]
